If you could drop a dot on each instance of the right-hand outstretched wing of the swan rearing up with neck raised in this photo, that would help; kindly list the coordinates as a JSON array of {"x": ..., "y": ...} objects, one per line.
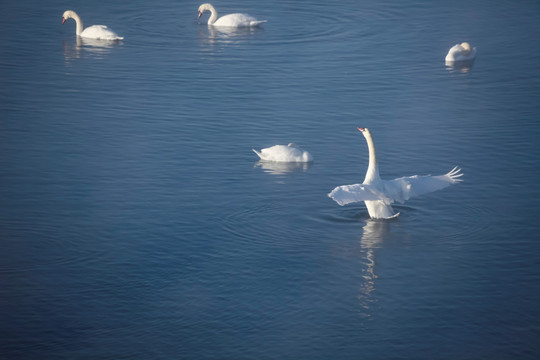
[{"x": 404, "y": 188}]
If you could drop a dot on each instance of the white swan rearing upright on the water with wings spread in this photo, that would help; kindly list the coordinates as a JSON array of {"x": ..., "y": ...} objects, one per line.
[{"x": 378, "y": 194}]
